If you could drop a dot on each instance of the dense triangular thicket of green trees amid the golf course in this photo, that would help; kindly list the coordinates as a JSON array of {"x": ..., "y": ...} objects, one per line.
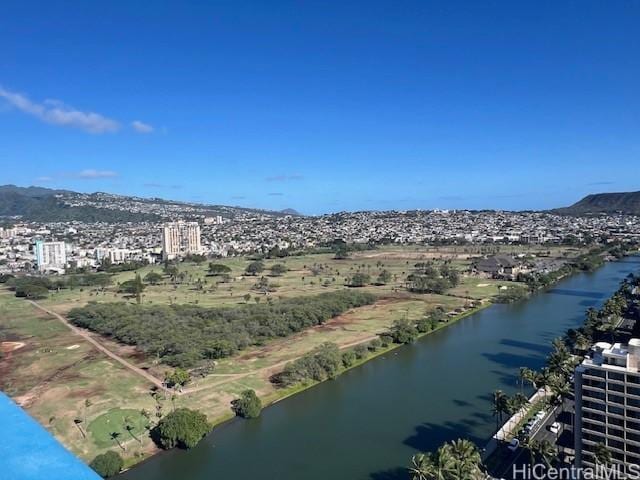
[{"x": 182, "y": 335}]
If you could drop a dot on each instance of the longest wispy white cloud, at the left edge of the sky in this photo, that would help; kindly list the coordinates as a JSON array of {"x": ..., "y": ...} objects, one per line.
[{"x": 57, "y": 113}]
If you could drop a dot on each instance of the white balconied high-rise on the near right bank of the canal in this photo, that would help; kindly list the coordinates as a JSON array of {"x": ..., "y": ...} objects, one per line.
[{"x": 607, "y": 387}]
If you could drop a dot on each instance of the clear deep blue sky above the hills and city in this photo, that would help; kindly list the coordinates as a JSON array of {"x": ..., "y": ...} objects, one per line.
[{"x": 324, "y": 106}]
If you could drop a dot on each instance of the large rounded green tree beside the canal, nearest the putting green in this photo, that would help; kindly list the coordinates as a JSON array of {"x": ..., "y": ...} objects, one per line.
[{"x": 182, "y": 428}]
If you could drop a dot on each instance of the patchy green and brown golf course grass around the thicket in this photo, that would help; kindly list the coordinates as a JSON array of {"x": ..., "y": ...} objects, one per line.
[{"x": 56, "y": 372}]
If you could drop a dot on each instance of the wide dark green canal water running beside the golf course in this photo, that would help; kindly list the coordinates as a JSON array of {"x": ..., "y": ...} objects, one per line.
[{"x": 368, "y": 422}]
